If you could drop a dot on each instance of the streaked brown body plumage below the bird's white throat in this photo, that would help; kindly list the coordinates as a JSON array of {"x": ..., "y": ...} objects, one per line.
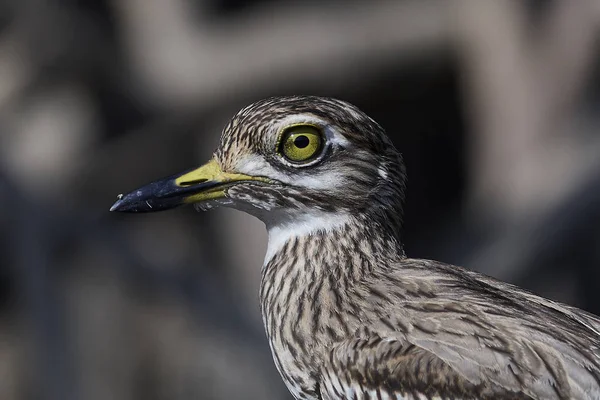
[{"x": 473, "y": 346}]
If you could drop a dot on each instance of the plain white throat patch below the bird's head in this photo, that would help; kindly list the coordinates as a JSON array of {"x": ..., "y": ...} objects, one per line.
[{"x": 303, "y": 225}]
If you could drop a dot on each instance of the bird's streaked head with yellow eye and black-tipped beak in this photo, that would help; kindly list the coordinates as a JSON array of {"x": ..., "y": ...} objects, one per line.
[{"x": 284, "y": 158}]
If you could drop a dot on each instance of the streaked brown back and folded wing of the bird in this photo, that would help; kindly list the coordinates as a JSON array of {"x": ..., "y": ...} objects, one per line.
[{"x": 438, "y": 330}]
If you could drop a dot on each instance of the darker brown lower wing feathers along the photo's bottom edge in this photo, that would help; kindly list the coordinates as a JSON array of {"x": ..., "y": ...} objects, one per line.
[{"x": 385, "y": 368}]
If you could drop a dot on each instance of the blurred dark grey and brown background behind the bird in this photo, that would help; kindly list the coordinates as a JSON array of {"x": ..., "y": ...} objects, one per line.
[{"x": 494, "y": 104}]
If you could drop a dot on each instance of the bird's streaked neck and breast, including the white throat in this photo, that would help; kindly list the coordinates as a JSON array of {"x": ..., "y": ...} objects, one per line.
[{"x": 312, "y": 264}]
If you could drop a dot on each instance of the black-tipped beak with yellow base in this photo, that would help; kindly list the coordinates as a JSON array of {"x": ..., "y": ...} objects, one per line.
[{"x": 205, "y": 183}]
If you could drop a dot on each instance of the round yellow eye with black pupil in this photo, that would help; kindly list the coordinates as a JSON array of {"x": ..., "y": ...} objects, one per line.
[{"x": 301, "y": 143}]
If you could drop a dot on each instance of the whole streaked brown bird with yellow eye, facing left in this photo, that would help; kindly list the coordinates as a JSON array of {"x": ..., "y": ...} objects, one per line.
[{"x": 347, "y": 314}]
